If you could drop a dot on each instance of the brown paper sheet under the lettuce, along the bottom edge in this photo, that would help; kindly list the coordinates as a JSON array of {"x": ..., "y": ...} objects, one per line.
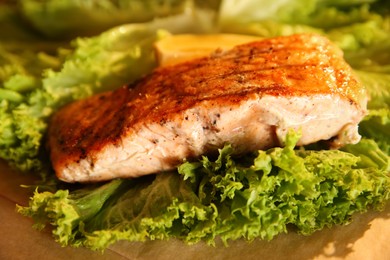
[{"x": 367, "y": 237}]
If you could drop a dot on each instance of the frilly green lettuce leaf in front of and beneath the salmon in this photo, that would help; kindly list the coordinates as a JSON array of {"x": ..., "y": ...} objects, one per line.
[{"x": 226, "y": 198}]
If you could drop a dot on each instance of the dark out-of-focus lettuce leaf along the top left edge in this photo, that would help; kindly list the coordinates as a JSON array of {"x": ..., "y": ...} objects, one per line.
[{"x": 68, "y": 19}]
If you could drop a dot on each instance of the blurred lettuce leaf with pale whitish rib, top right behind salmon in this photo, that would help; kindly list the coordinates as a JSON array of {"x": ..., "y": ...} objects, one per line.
[{"x": 356, "y": 26}]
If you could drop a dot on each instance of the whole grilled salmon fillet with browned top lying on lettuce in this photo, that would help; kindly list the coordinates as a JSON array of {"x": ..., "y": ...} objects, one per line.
[{"x": 249, "y": 96}]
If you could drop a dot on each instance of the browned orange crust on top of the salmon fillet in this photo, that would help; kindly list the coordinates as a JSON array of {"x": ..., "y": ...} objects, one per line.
[{"x": 283, "y": 66}]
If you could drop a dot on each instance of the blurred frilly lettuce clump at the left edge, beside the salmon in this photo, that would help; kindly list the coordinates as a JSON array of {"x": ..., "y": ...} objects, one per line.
[{"x": 23, "y": 105}]
